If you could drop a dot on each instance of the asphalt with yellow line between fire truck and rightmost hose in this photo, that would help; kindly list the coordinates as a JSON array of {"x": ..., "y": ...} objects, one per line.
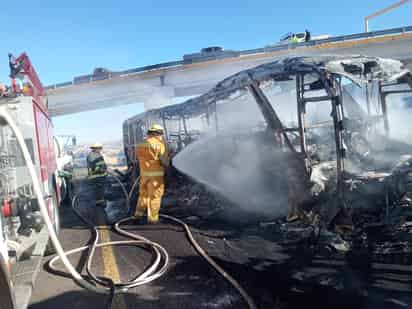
[{"x": 189, "y": 283}]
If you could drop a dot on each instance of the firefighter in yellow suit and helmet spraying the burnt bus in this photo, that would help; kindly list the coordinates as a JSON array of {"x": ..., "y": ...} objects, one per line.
[{"x": 153, "y": 158}]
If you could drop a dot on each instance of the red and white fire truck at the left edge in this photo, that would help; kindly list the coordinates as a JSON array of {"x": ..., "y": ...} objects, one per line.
[{"x": 23, "y": 235}]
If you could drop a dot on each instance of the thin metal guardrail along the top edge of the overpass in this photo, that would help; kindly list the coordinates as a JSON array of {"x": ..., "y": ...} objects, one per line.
[{"x": 165, "y": 65}]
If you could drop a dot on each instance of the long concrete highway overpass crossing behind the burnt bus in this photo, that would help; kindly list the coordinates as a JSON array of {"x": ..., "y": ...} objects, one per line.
[{"x": 156, "y": 85}]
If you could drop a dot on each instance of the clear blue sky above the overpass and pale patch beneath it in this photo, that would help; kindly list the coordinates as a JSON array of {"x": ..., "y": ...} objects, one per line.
[{"x": 65, "y": 39}]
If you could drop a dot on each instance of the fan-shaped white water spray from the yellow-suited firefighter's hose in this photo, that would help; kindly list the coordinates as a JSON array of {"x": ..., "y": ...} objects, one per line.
[{"x": 243, "y": 169}]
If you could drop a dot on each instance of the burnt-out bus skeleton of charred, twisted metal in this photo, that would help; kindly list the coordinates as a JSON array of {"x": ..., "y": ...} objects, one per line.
[{"x": 321, "y": 131}]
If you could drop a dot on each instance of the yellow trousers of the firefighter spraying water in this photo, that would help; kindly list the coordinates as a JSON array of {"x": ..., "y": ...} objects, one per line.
[{"x": 151, "y": 190}]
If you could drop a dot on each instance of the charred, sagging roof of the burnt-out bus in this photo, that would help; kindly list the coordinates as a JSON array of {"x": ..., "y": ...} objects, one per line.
[{"x": 358, "y": 69}]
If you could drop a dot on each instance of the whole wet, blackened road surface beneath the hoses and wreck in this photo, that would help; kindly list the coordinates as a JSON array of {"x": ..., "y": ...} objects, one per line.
[{"x": 275, "y": 275}]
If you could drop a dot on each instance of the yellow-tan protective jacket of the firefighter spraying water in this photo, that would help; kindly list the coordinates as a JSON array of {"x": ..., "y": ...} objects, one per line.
[{"x": 152, "y": 156}]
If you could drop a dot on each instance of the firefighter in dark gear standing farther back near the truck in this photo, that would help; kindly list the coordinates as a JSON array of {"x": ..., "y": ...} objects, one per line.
[{"x": 97, "y": 172}]
